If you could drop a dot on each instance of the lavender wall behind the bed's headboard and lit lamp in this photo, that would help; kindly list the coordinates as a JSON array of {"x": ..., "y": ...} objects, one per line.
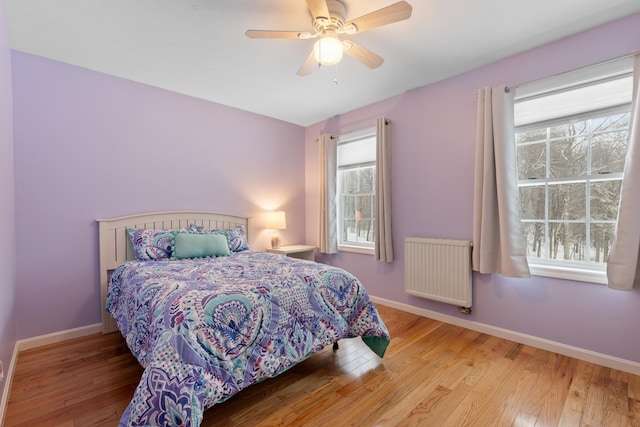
[{"x": 88, "y": 145}]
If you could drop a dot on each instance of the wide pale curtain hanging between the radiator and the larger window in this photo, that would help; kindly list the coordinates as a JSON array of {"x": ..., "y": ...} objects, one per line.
[{"x": 497, "y": 232}]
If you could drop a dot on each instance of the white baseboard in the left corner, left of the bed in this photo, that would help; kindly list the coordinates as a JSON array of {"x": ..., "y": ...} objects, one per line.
[{"x": 39, "y": 341}]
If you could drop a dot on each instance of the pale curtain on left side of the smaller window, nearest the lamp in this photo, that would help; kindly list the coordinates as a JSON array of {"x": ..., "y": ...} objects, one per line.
[{"x": 327, "y": 215}]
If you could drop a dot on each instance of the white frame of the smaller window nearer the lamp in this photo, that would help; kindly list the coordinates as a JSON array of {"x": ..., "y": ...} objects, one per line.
[{"x": 350, "y": 137}]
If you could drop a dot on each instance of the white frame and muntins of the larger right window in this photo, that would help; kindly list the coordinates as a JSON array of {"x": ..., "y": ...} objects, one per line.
[{"x": 572, "y": 270}]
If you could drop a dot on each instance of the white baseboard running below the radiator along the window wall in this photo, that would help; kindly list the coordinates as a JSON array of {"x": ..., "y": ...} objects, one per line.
[{"x": 555, "y": 347}]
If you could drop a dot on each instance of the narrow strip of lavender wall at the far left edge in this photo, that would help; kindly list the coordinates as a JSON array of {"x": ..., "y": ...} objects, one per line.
[{"x": 7, "y": 207}]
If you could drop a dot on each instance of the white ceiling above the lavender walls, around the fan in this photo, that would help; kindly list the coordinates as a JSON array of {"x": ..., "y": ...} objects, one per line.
[{"x": 198, "y": 47}]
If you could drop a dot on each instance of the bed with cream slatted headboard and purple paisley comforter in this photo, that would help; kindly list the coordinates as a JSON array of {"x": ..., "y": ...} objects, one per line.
[{"x": 206, "y": 316}]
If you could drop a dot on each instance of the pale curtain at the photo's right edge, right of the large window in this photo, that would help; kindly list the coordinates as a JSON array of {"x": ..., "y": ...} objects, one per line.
[{"x": 623, "y": 266}]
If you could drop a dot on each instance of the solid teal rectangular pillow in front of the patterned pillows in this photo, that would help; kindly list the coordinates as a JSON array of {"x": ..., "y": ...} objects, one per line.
[{"x": 193, "y": 244}]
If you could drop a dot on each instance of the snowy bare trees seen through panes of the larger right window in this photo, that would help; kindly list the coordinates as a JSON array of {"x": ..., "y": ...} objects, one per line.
[{"x": 569, "y": 178}]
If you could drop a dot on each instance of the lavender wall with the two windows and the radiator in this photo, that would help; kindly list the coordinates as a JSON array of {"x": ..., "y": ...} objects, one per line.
[{"x": 433, "y": 161}]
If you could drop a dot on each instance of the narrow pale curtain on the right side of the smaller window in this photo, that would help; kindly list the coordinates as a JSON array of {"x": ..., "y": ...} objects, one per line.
[{"x": 383, "y": 238}]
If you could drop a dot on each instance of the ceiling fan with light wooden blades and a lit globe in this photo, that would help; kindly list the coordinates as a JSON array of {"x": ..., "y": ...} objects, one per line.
[{"x": 329, "y": 23}]
